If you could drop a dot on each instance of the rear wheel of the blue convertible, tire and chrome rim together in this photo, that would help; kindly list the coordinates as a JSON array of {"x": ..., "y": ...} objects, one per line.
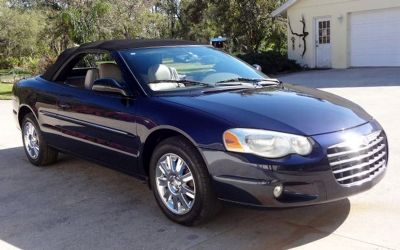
[{"x": 36, "y": 149}]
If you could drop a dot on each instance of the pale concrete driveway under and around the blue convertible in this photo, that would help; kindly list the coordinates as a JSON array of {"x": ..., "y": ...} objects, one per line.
[{"x": 80, "y": 205}]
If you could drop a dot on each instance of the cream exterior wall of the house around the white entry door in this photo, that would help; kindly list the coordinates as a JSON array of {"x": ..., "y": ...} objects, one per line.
[{"x": 339, "y": 11}]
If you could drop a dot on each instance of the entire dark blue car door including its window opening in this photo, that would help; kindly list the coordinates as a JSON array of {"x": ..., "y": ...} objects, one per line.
[{"x": 100, "y": 126}]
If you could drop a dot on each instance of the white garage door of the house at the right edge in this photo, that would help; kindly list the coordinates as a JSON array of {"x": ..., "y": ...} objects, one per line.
[{"x": 375, "y": 38}]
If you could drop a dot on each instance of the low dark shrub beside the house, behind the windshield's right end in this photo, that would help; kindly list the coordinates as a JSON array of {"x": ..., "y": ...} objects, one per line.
[{"x": 271, "y": 62}]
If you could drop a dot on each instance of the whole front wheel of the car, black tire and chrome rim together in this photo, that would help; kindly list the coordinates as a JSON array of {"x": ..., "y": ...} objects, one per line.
[{"x": 204, "y": 205}]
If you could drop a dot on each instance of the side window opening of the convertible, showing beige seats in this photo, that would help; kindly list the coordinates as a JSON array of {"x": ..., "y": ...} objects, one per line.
[{"x": 84, "y": 70}]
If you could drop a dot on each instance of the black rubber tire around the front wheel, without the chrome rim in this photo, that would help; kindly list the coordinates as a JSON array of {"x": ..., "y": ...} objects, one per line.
[{"x": 193, "y": 164}]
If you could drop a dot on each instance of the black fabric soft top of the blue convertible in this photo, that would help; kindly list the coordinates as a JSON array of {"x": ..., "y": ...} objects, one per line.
[{"x": 110, "y": 45}]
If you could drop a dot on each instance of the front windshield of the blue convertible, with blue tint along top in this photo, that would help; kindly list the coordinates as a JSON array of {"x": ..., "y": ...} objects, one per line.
[{"x": 187, "y": 67}]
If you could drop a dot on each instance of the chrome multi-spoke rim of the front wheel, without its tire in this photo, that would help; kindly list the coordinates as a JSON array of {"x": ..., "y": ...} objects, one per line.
[{"x": 175, "y": 184}]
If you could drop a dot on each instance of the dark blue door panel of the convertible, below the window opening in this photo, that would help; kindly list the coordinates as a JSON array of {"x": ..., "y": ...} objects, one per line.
[{"x": 102, "y": 127}]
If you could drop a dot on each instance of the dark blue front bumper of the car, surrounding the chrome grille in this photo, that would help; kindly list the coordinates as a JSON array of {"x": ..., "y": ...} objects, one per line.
[{"x": 250, "y": 180}]
